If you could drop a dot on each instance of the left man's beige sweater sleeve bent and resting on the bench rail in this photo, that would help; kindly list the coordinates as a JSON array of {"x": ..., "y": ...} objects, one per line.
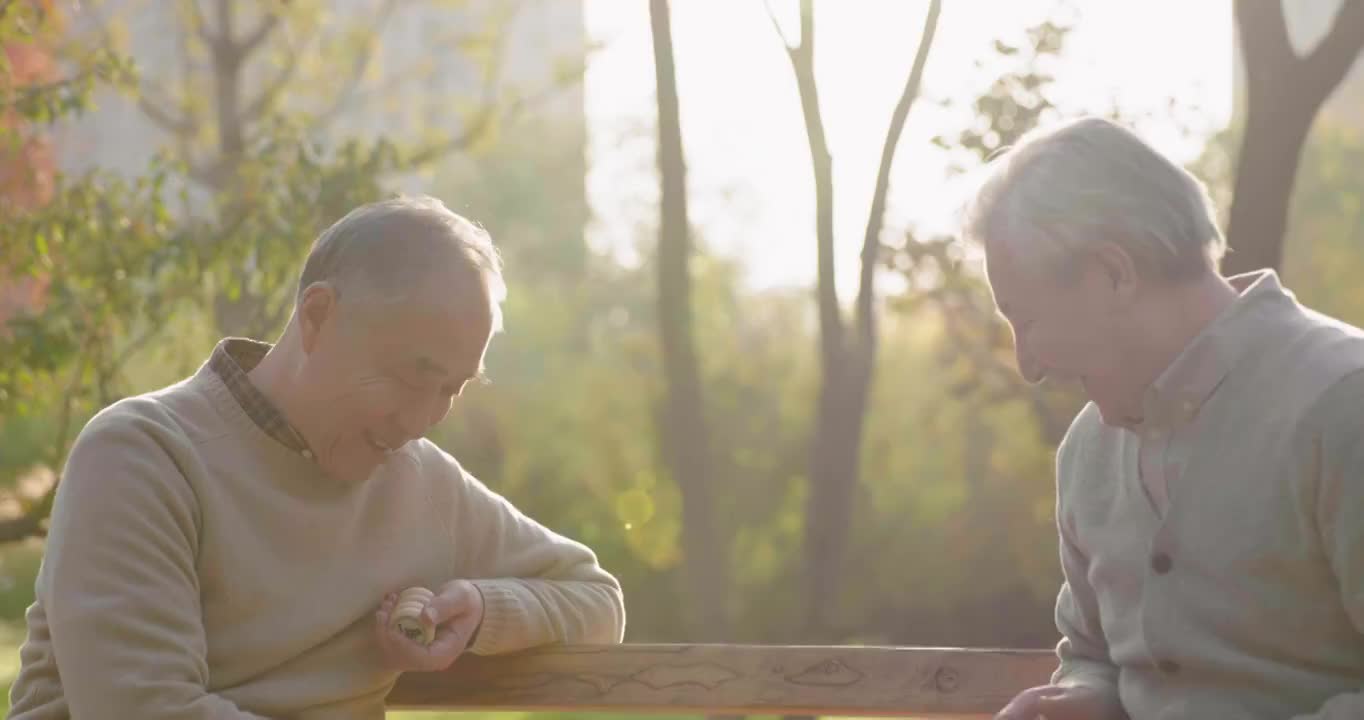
[{"x": 538, "y": 586}]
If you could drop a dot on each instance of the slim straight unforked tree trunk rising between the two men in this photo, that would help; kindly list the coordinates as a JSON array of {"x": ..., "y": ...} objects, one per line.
[{"x": 684, "y": 432}]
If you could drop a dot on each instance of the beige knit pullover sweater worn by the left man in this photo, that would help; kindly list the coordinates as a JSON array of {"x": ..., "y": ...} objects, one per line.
[{"x": 196, "y": 569}]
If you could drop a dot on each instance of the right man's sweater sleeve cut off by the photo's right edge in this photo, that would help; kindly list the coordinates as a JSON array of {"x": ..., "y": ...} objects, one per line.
[{"x": 1339, "y": 430}]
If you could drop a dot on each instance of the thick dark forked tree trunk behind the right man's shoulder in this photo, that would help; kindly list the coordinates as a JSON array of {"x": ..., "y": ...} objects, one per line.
[{"x": 1284, "y": 95}]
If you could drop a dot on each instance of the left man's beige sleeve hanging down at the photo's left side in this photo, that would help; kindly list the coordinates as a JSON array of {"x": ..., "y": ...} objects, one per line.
[{"x": 119, "y": 579}]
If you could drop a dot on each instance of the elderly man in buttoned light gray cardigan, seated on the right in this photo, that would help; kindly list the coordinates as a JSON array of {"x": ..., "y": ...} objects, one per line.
[{"x": 1211, "y": 497}]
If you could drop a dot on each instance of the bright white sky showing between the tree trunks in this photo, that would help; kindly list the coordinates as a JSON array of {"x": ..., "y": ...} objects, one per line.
[{"x": 748, "y": 162}]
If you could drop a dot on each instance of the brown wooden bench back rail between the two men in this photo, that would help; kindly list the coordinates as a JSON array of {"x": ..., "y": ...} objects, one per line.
[{"x": 733, "y": 680}]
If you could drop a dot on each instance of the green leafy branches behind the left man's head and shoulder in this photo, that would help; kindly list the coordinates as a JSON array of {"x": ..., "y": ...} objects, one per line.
[{"x": 117, "y": 265}]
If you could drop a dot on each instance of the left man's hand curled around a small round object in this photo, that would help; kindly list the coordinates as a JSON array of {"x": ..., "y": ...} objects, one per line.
[{"x": 456, "y": 612}]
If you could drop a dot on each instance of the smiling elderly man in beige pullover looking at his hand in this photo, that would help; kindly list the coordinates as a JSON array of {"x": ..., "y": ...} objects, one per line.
[{"x": 234, "y": 546}]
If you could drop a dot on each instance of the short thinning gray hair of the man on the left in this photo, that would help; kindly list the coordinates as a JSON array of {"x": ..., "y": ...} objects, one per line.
[{"x": 381, "y": 252}]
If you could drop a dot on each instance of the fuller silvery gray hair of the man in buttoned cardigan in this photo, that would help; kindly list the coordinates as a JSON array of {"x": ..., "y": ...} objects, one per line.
[{"x": 1066, "y": 189}]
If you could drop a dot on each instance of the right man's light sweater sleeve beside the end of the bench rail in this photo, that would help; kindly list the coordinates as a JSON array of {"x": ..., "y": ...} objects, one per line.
[{"x": 1084, "y": 651}]
